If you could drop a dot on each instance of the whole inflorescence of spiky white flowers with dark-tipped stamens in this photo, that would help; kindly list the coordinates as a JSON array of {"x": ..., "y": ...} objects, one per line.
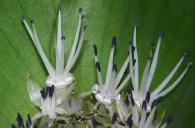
[{"x": 110, "y": 107}]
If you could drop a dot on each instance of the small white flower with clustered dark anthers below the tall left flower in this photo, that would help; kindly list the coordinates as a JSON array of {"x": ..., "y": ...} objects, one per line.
[{"x": 45, "y": 99}]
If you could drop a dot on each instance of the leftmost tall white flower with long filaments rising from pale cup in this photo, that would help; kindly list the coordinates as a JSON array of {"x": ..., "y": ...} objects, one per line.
[{"x": 60, "y": 77}]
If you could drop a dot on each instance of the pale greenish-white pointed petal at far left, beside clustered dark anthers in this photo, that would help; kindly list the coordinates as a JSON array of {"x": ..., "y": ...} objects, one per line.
[{"x": 33, "y": 91}]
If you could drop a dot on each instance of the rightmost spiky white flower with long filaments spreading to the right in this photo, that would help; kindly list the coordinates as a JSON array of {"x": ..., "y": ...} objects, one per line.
[{"x": 141, "y": 92}]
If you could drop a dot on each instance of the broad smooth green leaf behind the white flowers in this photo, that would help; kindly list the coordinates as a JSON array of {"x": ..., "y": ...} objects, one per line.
[{"x": 105, "y": 18}]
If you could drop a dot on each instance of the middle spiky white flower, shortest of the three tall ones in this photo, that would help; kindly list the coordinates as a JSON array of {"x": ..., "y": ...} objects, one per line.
[{"x": 109, "y": 90}]
